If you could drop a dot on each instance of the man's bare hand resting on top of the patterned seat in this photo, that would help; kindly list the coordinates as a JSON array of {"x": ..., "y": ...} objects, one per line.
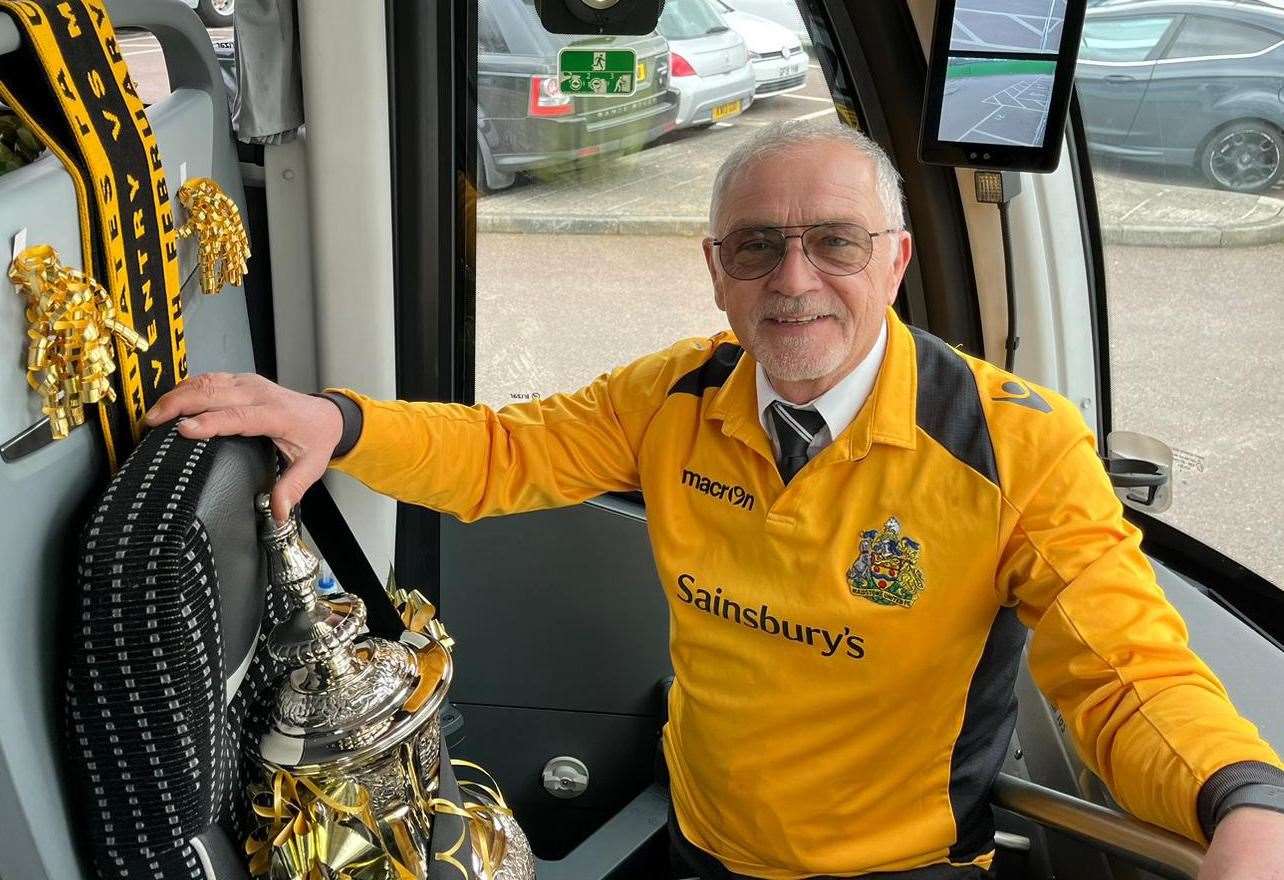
[{"x": 305, "y": 428}]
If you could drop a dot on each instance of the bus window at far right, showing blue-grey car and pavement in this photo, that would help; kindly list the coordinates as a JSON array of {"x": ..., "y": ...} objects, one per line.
[{"x": 1183, "y": 119}]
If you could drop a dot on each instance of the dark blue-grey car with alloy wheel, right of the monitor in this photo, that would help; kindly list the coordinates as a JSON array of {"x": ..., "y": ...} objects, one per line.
[{"x": 1191, "y": 84}]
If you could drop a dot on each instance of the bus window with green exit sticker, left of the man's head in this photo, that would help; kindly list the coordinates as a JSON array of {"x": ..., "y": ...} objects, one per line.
[{"x": 594, "y": 209}]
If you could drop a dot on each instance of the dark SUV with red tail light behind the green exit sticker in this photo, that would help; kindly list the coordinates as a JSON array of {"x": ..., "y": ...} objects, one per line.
[{"x": 526, "y": 123}]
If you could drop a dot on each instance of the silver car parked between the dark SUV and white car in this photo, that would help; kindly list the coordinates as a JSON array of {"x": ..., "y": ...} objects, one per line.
[{"x": 709, "y": 64}]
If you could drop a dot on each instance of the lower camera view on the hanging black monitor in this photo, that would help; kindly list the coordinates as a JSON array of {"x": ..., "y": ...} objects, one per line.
[{"x": 997, "y": 101}]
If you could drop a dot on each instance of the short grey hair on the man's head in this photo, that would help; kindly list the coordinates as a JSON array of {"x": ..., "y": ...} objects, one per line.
[{"x": 783, "y": 137}]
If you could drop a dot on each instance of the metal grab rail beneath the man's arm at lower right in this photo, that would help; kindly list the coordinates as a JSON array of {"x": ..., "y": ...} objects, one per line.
[{"x": 1119, "y": 834}]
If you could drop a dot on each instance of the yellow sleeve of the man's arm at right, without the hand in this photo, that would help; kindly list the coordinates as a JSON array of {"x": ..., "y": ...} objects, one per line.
[{"x": 1113, "y": 655}]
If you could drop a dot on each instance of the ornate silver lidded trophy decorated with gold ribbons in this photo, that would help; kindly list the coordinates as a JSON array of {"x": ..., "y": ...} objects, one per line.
[{"x": 352, "y": 755}]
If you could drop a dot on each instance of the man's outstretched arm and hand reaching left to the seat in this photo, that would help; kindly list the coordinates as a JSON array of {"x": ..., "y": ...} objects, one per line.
[{"x": 468, "y": 462}]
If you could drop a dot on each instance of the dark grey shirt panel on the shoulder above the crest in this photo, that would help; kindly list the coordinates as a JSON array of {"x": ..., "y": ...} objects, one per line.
[{"x": 950, "y": 405}]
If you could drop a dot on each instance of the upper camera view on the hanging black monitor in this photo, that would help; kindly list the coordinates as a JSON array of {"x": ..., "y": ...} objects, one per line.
[{"x": 1025, "y": 26}]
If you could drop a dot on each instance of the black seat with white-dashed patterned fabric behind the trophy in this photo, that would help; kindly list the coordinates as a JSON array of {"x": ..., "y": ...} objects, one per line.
[{"x": 160, "y": 689}]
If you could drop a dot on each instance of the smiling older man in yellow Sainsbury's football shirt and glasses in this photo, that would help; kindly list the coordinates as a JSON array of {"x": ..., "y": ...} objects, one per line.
[{"x": 852, "y": 524}]
